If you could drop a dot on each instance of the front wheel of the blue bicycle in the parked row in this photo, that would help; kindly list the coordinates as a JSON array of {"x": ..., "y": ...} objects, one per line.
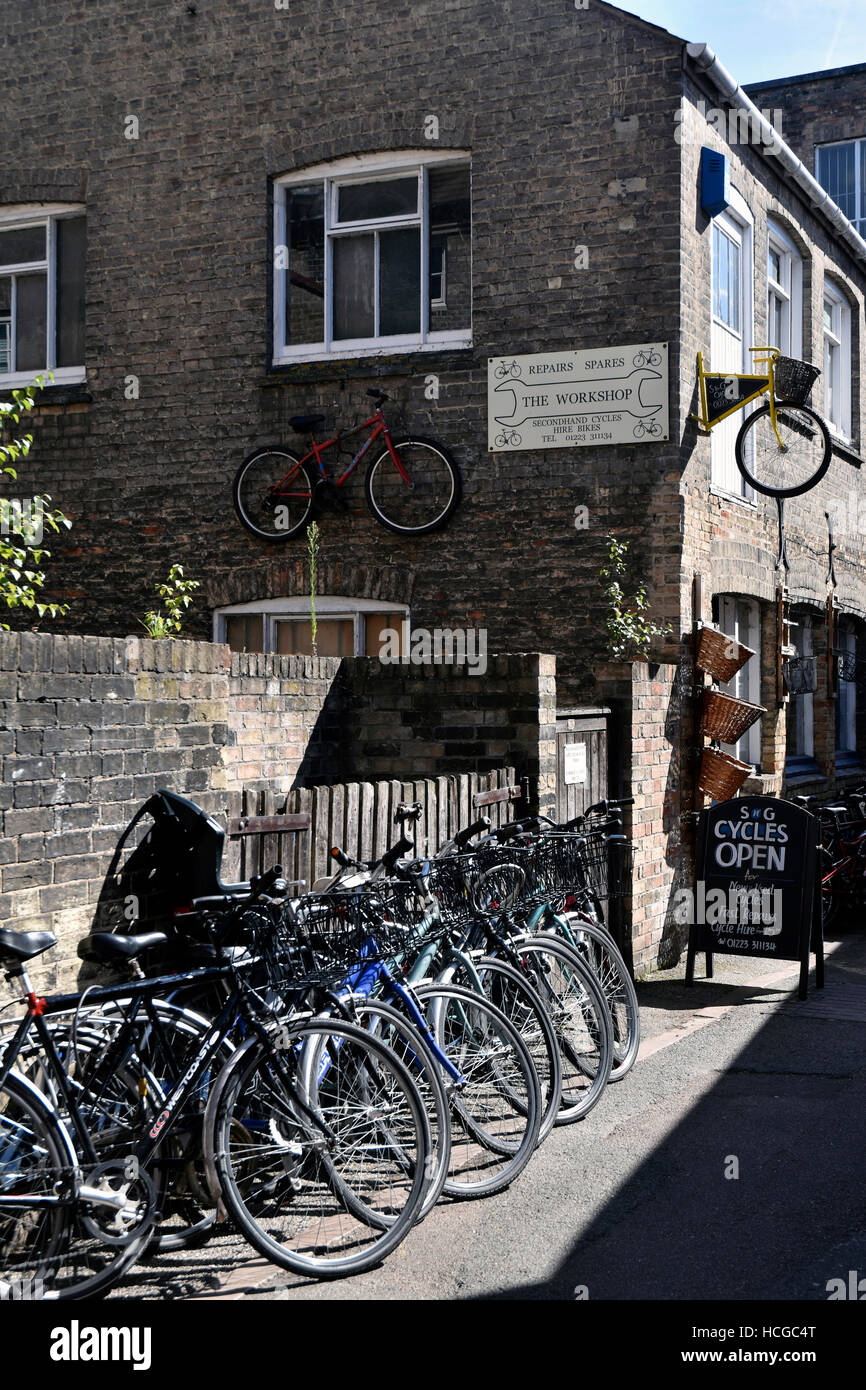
[{"x": 497, "y": 1104}]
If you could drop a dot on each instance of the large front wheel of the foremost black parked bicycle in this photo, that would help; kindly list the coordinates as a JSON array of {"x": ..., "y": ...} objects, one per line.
[{"x": 259, "y": 1093}]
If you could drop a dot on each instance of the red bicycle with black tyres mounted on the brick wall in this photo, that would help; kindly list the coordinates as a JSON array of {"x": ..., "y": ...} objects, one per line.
[{"x": 412, "y": 487}]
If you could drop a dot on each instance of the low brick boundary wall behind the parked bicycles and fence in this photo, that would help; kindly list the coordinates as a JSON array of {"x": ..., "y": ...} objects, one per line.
[{"x": 92, "y": 726}]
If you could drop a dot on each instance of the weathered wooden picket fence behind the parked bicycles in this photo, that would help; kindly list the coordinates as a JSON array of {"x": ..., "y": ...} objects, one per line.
[{"x": 361, "y": 819}]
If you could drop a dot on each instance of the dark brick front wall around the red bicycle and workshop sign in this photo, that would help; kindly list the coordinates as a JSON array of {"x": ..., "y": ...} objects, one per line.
[{"x": 568, "y": 116}]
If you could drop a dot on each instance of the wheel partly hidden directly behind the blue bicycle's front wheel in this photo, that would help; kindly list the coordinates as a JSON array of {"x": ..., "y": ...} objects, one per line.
[{"x": 514, "y": 996}]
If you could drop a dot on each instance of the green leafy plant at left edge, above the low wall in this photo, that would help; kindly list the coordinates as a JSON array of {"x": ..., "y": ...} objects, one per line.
[{"x": 22, "y": 533}]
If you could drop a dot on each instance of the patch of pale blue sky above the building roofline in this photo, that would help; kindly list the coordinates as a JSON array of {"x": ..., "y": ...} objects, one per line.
[{"x": 762, "y": 40}]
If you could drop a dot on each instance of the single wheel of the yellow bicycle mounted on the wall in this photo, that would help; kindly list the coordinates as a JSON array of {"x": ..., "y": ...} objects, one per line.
[{"x": 799, "y": 465}]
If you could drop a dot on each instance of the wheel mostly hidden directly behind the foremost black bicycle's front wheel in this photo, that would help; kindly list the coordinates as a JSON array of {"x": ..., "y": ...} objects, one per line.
[{"x": 404, "y": 1039}]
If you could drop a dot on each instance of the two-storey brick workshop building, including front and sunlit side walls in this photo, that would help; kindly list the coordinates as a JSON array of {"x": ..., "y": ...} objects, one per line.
[{"x": 559, "y": 151}]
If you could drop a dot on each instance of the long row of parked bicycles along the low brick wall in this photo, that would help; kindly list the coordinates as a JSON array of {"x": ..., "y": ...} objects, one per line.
[{"x": 316, "y": 1070}]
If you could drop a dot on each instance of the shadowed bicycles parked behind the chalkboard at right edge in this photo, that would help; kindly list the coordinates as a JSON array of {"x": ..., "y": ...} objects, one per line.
[{"x": 843, "y": 860}]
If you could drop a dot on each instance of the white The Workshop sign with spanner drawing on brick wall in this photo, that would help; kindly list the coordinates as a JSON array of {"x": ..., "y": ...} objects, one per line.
[{"x": 566, "y": 400}]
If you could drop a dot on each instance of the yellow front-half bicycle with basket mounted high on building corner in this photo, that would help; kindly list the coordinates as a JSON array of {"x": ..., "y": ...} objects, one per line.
[{"x": 783, "y": 448}]
